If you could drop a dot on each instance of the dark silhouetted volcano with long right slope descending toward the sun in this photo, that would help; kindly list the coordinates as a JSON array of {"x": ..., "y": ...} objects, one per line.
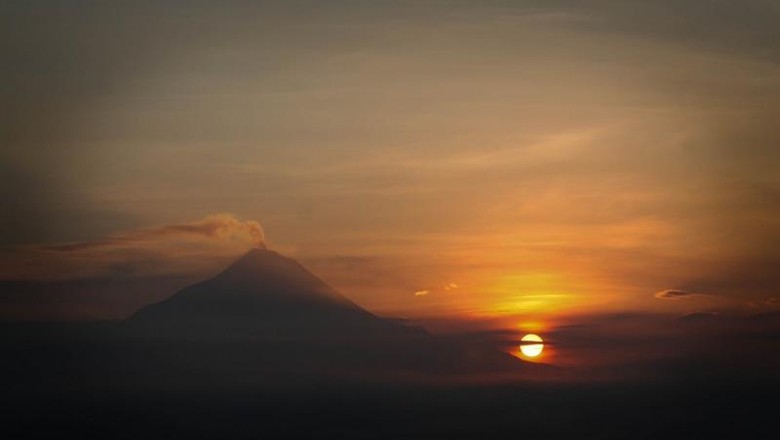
[{"x": 278, "y": 316}]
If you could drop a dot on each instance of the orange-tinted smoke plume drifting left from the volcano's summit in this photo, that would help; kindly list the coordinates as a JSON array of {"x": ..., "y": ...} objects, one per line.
[{"x": 194, "y": 248}]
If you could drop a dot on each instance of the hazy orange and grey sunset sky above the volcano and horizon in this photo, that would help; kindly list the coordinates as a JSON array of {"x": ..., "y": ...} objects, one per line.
[{"x": 505, "y": 160}]
